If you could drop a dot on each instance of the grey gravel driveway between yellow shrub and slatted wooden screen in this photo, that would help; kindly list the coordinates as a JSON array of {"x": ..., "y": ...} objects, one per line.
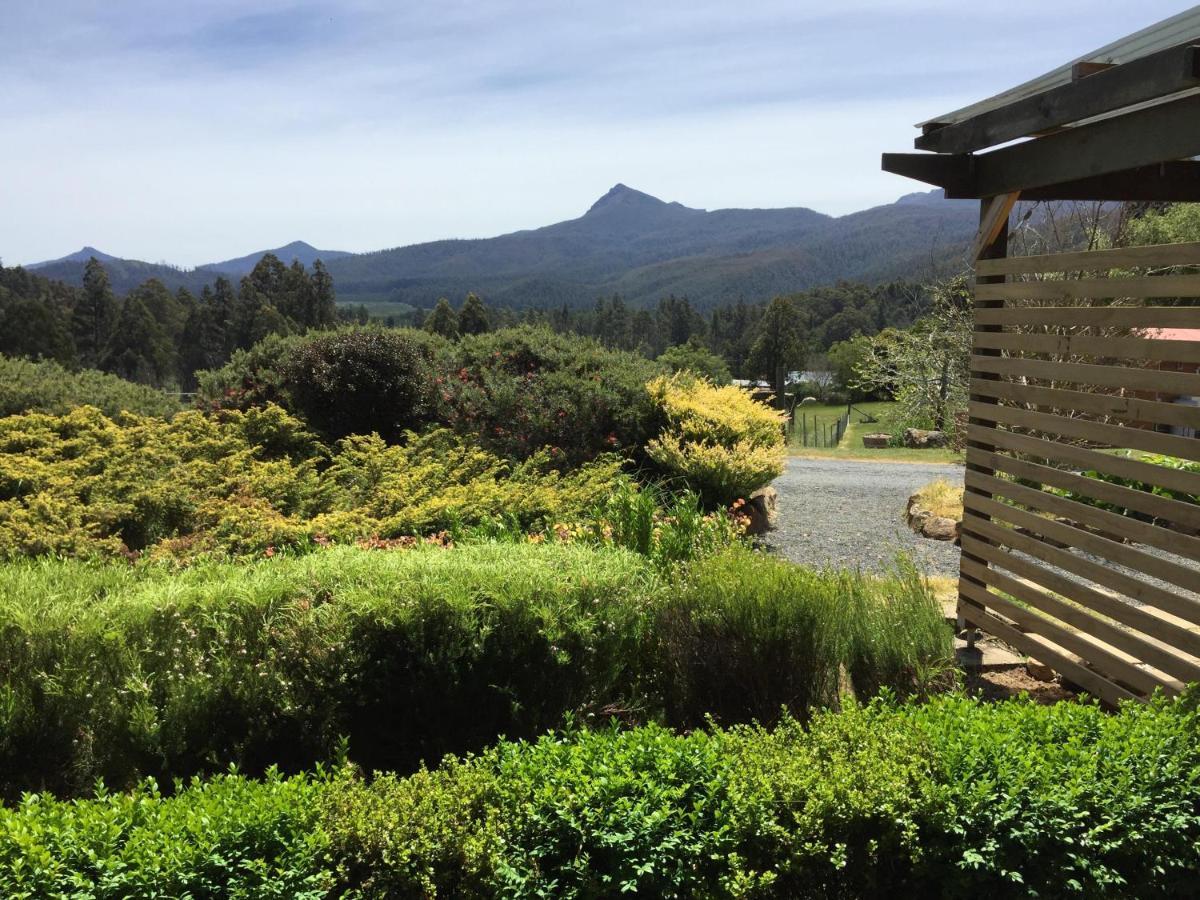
[{"x": 851, "y": 514}]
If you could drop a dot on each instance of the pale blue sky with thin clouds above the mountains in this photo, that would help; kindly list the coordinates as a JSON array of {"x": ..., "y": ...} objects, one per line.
[{"x": 190, "y": 133}]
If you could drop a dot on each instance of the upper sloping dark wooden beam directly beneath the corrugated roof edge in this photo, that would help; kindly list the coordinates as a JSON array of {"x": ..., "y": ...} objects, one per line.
[{"x": 1139, "y": 81}]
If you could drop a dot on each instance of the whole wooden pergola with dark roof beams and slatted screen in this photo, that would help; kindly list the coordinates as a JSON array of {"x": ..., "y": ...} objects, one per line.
[{"x": 1085, "y": 559}]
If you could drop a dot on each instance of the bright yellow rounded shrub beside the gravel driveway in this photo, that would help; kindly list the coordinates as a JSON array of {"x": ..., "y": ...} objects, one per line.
[{"x": 719, "y": 441}]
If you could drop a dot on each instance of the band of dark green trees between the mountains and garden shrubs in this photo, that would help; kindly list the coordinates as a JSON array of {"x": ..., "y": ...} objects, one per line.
[{"x": 161, "y": 338}]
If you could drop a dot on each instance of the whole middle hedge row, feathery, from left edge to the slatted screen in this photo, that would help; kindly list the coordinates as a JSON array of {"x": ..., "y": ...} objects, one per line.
[{"x": 119, "y": 673}]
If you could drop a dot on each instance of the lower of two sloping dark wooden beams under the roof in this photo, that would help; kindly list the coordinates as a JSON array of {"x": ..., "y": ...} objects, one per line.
[{"x": 1145, "y": 137}]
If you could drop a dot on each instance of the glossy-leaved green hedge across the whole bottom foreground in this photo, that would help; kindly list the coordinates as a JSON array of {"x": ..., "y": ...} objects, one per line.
[{"x": 949, "y": 799}]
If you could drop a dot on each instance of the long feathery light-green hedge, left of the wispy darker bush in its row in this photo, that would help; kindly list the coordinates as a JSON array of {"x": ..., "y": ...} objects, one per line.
[{"x": 118, "y": 673}]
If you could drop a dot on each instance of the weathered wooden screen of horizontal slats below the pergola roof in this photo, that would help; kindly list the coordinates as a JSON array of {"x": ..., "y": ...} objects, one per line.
[{"x": 1081, "y": 543}]
